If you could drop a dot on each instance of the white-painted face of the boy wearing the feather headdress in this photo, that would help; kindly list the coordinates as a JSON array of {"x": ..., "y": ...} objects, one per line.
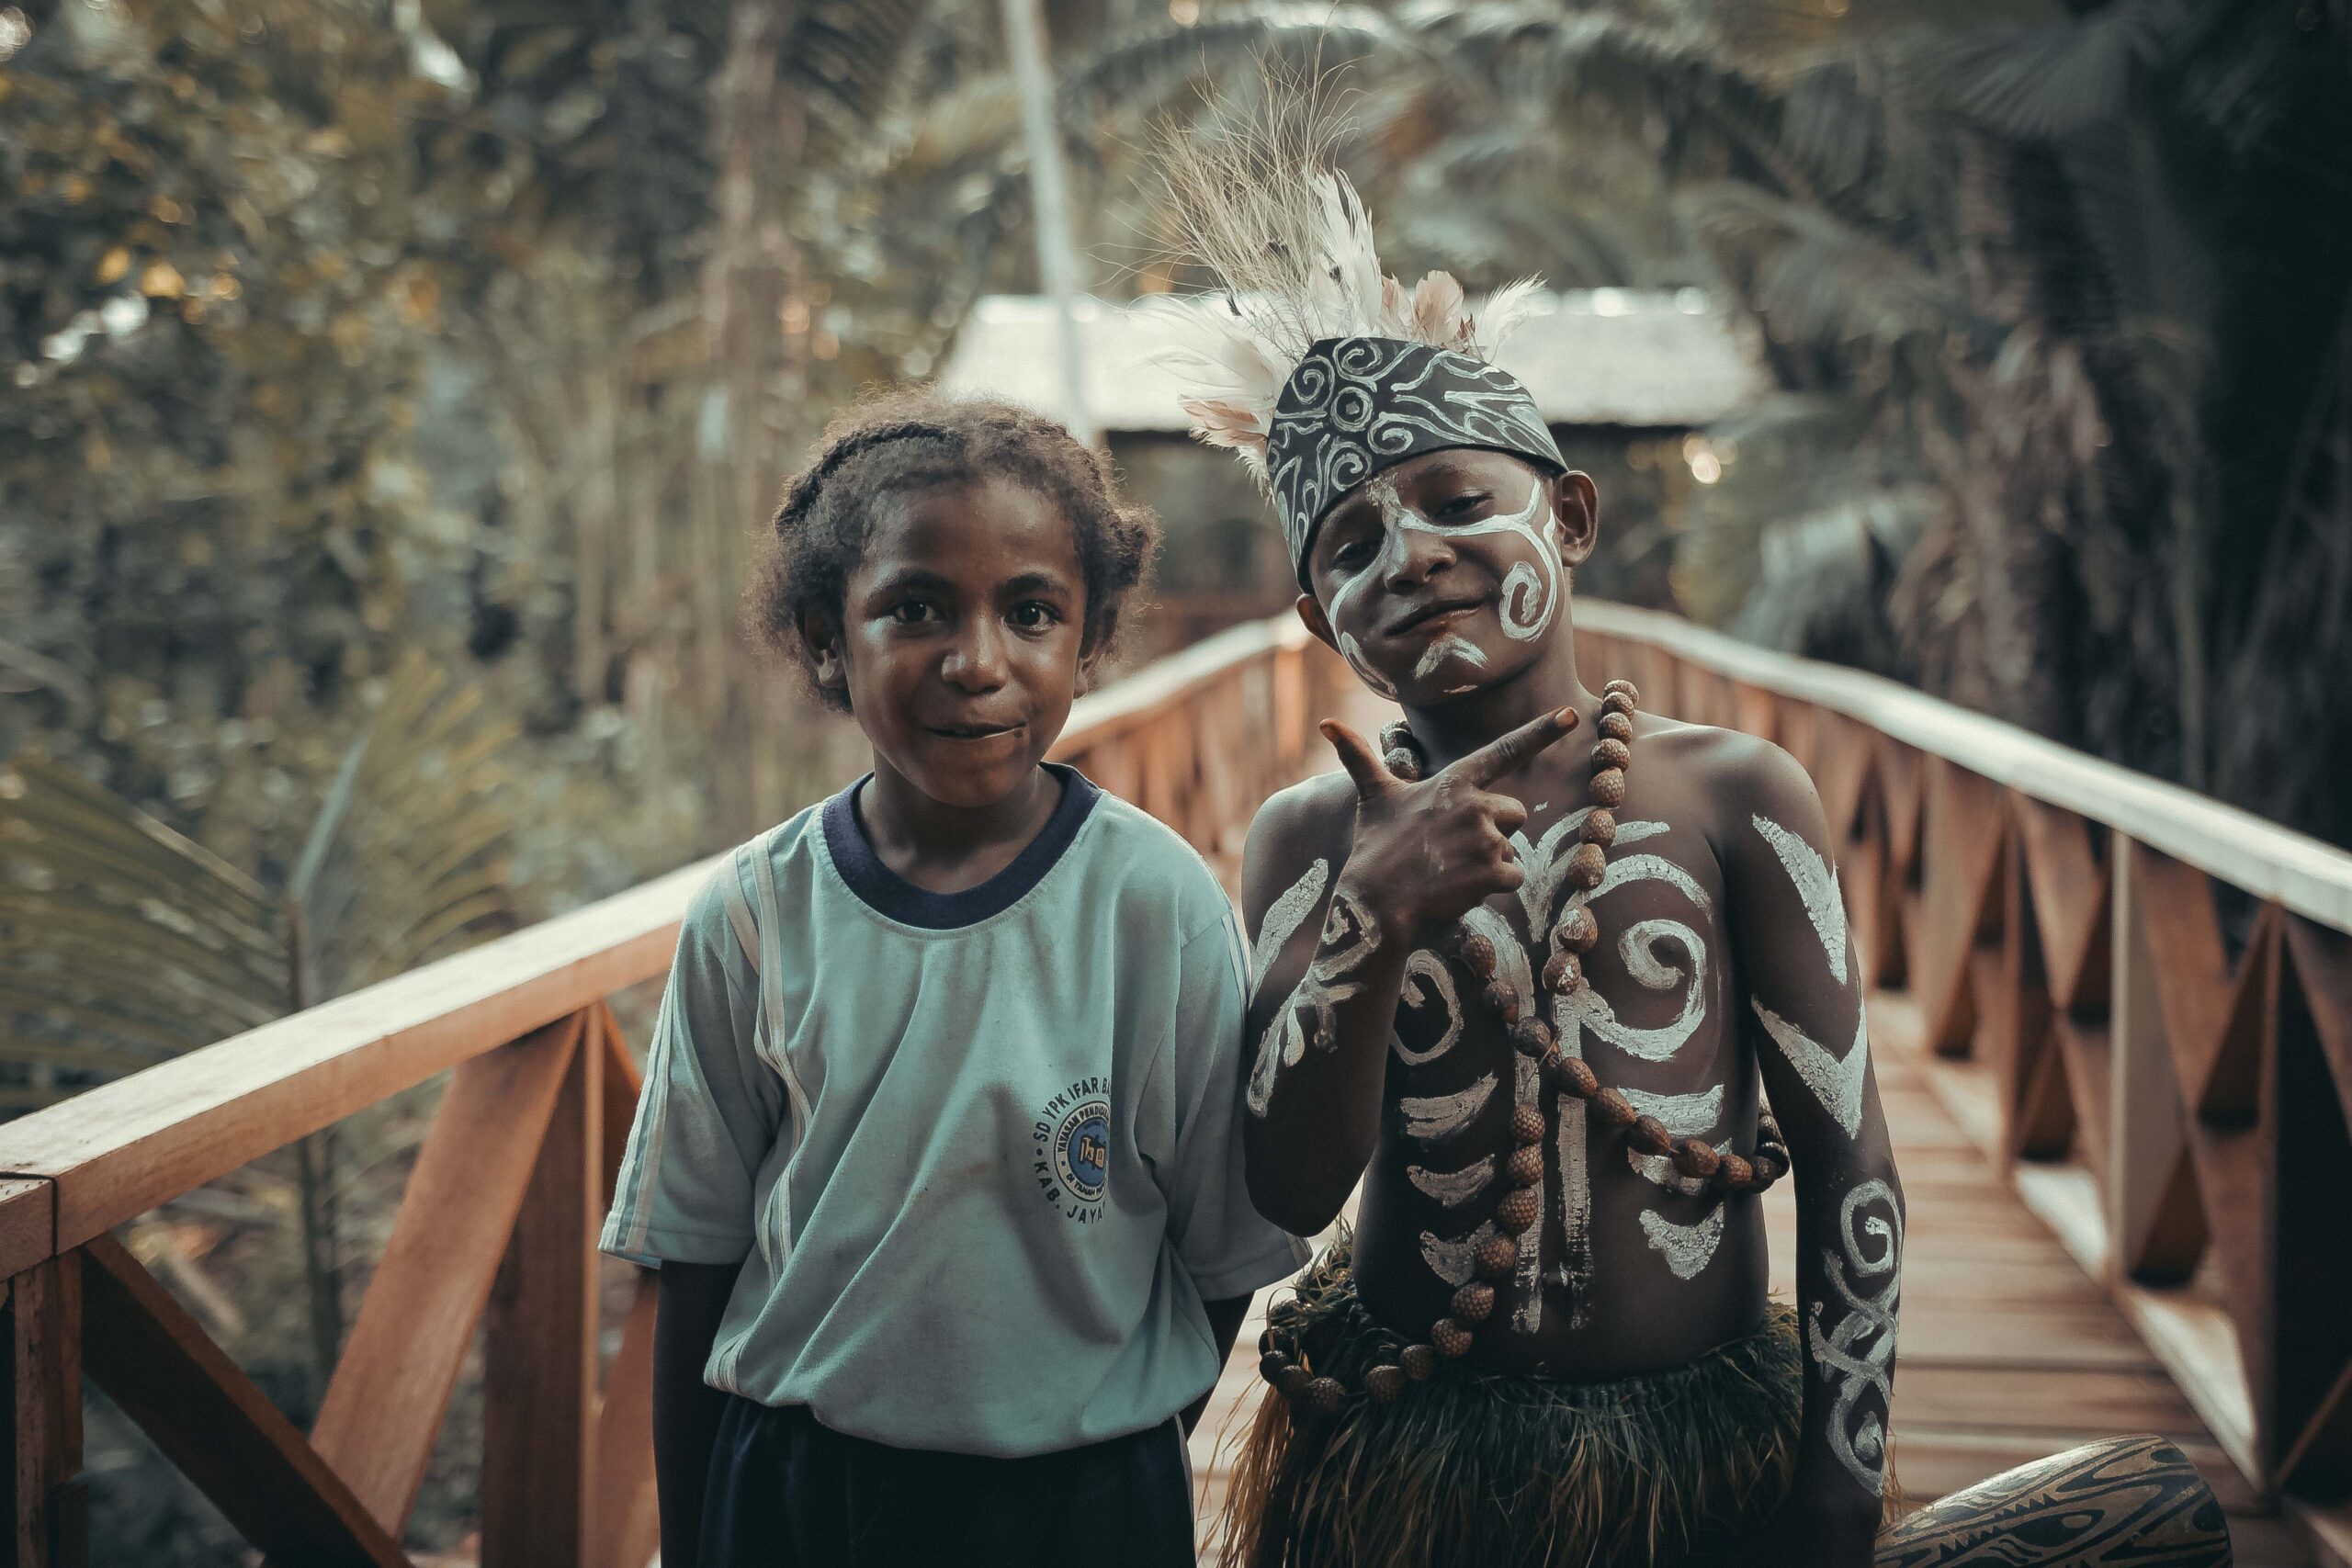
[{"x": 1448, "y": 572}]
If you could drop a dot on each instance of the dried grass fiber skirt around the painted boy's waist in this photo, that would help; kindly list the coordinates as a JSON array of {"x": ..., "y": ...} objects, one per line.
[{"x": 1511, "y": 1473}]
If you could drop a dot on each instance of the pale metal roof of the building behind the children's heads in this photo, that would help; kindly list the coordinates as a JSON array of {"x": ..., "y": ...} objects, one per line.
[{"x": 1589, "y": 356}]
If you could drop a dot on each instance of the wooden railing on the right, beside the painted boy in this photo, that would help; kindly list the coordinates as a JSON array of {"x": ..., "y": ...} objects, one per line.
[{"x": 2144, "y": 998}]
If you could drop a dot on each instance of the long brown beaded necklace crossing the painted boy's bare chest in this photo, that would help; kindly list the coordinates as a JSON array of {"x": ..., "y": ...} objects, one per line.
[{"x": 1563, "y": 977}]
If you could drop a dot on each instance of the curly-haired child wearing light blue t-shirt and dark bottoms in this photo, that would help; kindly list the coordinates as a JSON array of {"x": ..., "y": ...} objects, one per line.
[{"x": 940, "y": 1146}]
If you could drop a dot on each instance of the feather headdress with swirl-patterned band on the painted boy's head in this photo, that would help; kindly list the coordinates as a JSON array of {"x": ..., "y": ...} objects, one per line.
[{"x": 1314, "y": 363}]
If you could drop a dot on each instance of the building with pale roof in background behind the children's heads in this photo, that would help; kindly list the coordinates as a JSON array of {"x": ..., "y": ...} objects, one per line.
[{"x": 1624, "y": 377}]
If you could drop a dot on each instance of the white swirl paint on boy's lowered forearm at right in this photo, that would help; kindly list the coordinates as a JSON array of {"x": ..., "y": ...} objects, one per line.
[{"x": 1857, "y": 1355}]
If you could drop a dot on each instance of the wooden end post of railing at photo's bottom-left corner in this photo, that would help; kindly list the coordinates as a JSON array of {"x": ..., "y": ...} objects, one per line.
[{"x": 48, "y": 1508}]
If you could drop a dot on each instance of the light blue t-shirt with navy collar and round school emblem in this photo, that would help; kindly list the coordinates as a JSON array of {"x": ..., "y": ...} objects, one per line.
[{"x": 980, "y": 1153}]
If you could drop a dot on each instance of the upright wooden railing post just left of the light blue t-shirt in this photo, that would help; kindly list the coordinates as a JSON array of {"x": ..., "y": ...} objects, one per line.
[{"x": 540, "y": 1343}]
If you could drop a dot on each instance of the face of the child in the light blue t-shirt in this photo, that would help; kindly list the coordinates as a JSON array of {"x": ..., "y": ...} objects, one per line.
[{"x": 963, "y": 638}]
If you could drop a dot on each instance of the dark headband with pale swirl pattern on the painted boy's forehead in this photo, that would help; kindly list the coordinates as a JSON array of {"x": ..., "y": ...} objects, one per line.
[{"x": 1361, "y": 406}]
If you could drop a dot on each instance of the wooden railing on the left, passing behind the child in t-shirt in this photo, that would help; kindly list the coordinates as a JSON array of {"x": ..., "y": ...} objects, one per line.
[{"x": 500, "y": 1219}]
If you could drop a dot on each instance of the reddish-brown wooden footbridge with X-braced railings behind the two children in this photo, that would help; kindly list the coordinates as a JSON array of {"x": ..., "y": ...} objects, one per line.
[{"x": 2113, "y": 1028}]
